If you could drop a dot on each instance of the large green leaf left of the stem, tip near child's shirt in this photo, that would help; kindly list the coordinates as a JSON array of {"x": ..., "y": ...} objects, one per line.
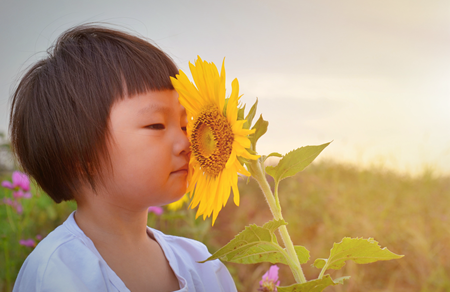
[{"x": 253, "y": 245}]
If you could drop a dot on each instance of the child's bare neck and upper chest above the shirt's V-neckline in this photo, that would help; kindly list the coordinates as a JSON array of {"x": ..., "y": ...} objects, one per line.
[{"x": 120, "y": 236}]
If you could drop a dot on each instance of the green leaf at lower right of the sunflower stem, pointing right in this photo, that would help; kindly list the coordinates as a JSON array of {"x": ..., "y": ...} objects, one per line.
[{"x": 359, "y": 250}]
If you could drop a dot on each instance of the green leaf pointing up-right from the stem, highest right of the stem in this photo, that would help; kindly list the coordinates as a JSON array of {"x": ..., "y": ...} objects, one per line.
[{"x": 295, "y": 161}]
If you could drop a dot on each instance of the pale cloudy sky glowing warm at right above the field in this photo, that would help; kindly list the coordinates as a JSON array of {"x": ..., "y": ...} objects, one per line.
[{"x": 371, "y": 76}]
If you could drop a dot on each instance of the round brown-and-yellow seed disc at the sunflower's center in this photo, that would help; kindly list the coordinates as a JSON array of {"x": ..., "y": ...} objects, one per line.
[{"x": 212, "y": 140}]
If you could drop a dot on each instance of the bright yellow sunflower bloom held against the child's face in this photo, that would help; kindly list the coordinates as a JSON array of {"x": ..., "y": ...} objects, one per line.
[{"x": 217, "y": 137}]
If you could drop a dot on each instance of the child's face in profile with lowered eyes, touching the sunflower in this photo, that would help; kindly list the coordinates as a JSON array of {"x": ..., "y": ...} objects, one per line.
[{"x": 151, "y": 151}]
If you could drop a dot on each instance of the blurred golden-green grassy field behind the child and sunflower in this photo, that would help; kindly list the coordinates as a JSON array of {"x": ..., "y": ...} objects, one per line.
[{"x": 323, "y": 204}]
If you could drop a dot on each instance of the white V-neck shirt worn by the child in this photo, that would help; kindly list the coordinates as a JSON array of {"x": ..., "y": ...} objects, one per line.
[{"x": 67, "y": 260}]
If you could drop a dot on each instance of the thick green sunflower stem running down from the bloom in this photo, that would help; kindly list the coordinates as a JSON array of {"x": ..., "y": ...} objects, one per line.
[{"x": 257, "y": 172}]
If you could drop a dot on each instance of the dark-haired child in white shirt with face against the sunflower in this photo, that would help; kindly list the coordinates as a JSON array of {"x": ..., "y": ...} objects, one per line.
[{"x": 99, "y": 122}]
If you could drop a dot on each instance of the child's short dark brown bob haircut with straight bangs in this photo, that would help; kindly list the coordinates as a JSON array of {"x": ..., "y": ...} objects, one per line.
[{"x": 60, "y": 109}]
